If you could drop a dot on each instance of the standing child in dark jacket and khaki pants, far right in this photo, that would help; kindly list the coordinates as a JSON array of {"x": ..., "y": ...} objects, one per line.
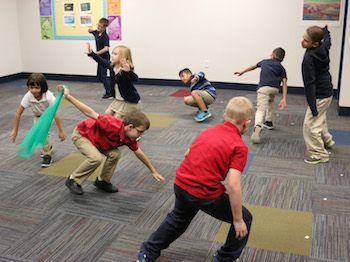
[{"x": 318, "y": 91}]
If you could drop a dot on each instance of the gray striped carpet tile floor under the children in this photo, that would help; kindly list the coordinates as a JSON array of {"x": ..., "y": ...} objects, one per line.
[{"x": 40, "y": 220}]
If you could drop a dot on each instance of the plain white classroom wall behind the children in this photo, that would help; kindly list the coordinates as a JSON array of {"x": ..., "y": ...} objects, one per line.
[{"x": 166, "y": 36}]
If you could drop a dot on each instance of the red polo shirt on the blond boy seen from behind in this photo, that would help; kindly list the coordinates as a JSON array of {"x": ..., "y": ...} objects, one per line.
[{"x": 211, "y": 155}]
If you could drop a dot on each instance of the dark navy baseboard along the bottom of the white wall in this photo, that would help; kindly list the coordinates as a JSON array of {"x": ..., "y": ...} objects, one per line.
[{"x": 149, "y": 81}]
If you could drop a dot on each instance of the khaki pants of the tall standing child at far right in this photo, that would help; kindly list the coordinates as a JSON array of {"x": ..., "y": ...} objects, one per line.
[{"x": 315, "y": 129}]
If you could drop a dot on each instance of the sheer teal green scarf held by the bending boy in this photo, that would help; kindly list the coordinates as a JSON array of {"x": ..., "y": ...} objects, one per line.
[{"x": 38, "y": 133}]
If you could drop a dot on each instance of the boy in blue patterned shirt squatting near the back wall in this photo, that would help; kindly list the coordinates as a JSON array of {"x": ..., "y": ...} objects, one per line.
[{"x": 202, "y": 93}]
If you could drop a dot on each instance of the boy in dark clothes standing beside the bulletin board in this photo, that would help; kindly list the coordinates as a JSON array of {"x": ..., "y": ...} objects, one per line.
[{"x": 102, "y": 46}]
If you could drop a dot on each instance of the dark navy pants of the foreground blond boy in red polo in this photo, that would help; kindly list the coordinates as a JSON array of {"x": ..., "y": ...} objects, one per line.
[{"x": 177, "y": 221}]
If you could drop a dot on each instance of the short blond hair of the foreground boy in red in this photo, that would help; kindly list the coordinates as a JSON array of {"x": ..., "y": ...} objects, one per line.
[{"x": 239, "y": 109}]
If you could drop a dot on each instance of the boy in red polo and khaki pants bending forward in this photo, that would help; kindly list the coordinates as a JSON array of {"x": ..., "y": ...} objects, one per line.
[{"x": 104, "y": 134}]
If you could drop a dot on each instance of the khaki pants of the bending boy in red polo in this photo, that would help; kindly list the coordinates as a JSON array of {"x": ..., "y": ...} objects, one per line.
[{"x": 93, "y": 159}]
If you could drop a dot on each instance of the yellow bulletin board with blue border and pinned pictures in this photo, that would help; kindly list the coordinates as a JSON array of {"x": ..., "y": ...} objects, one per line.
[{"x": 73, "y": 18}]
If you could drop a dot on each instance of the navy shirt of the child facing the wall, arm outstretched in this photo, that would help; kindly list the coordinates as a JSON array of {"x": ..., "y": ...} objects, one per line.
[{"x": 272, "y": 73}]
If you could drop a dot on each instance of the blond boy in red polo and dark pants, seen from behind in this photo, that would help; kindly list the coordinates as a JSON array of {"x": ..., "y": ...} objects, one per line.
[{"x": 217, "y": 152}]
